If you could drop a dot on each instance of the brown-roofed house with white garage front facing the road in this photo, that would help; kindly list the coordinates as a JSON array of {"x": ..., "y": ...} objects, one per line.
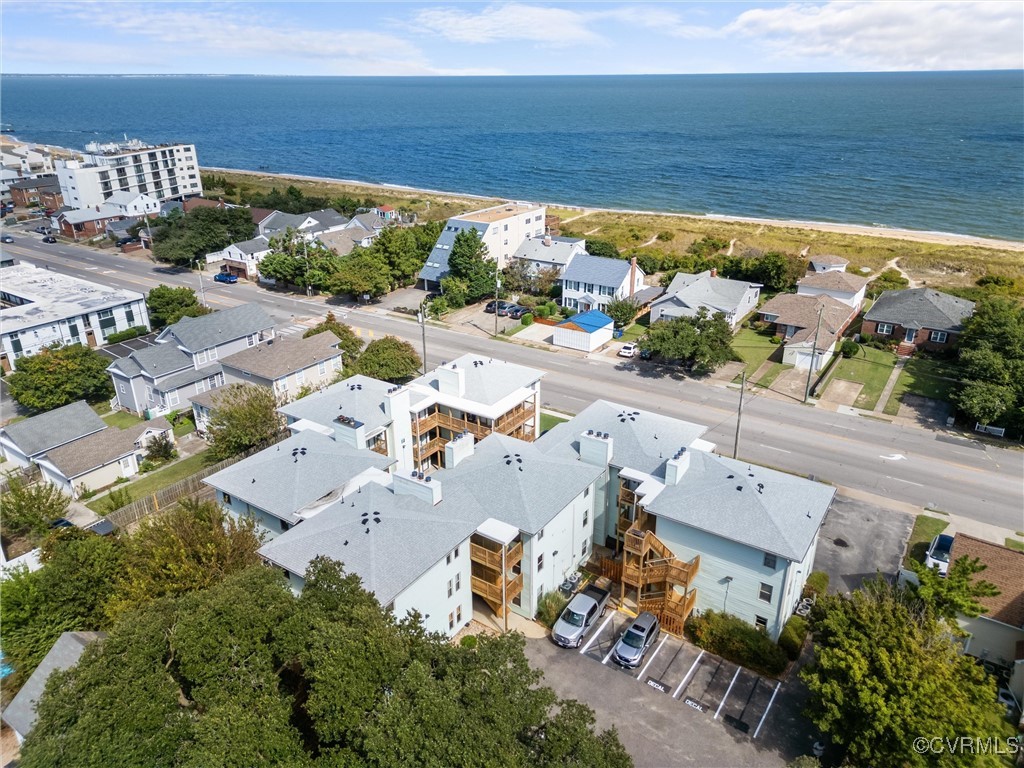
[{"x": 810, "y": 327}]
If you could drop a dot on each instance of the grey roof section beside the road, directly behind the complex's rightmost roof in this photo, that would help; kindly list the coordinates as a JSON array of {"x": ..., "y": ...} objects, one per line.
[{"x": 642, "y": 441}]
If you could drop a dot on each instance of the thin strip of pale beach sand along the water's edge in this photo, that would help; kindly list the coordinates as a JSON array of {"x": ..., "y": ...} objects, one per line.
[{"x": 917, "y": 236}]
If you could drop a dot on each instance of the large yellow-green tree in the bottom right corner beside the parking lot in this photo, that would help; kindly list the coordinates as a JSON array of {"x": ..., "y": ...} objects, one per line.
[{"x": 887, "y": 671}]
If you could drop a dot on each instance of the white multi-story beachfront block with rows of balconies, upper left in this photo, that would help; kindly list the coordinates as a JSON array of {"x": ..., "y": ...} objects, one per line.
[{"x": 163, "y": 172}]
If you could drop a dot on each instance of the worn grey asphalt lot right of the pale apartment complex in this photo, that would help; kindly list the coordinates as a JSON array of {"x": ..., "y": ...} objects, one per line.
[{"x": 860, "y": 540}]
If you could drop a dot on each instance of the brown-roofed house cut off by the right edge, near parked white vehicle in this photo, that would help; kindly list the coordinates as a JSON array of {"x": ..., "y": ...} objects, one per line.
[{"x": 997, "y": 637}]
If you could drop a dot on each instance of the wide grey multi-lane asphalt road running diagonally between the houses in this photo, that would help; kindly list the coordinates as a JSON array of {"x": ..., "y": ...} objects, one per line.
[{"x": 906, "y": 464}]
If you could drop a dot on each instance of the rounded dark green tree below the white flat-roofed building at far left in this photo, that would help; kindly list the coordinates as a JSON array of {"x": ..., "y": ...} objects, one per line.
[{"x": 61, "y": 375}]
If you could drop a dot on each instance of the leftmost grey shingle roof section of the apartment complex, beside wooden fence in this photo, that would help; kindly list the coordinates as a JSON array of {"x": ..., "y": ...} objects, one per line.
[{"x": 283, "y": 480}]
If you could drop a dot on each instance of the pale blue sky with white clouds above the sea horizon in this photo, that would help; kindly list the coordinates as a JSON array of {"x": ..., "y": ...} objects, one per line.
[{"x": 507, "y": 38}]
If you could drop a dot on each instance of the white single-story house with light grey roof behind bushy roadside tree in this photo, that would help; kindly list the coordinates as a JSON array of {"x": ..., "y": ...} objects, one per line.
[{"x": 689, "y": 293}]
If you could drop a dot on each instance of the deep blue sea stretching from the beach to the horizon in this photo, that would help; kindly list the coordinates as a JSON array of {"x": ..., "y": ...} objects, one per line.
[{"x": 925, "y": 151}]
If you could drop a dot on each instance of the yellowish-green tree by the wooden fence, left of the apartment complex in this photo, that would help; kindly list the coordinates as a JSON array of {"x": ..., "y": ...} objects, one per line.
[{"x": 243, "y": 417}]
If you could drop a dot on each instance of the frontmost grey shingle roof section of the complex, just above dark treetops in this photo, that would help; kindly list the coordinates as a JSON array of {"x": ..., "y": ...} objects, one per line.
[{"x": 390, "y": 556}]
